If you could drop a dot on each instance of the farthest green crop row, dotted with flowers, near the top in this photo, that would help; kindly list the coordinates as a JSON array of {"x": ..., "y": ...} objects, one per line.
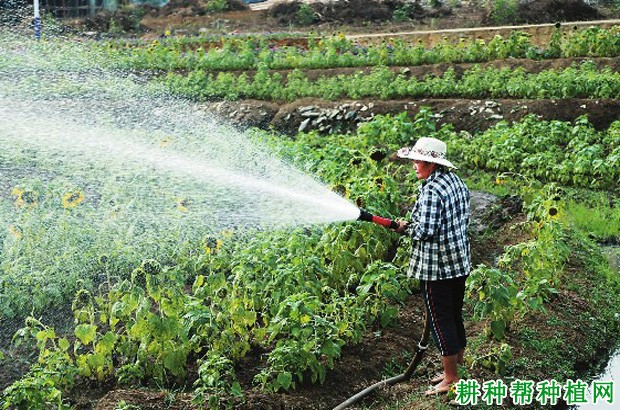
[{"x": 254, "y": 53}]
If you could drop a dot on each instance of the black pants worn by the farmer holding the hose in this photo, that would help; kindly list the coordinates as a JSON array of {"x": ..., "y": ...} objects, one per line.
[{"x": 444, "y": 305}]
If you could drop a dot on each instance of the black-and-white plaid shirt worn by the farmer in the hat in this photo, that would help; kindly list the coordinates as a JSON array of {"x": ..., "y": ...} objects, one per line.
[{"x": 440, "y": 245}]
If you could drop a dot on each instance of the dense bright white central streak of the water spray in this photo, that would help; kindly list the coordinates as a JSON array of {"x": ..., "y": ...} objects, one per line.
[{"x": 107, "y": 146}]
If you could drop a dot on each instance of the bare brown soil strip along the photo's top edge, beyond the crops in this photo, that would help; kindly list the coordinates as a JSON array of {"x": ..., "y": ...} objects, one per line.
[{"x": 189, "y": 17}]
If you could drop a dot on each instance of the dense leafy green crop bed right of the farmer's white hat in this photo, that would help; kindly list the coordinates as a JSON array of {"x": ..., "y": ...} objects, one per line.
[{"x": 554, "y": 151}]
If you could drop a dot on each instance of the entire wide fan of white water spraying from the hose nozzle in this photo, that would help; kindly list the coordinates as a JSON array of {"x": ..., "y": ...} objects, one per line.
[{"x": 70, "y": 120}]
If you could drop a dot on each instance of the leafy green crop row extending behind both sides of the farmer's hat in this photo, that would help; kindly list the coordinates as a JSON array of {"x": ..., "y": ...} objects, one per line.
[{"x": 569, "y": 154}]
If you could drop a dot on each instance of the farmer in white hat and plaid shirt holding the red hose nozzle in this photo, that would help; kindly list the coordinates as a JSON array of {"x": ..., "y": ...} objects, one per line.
[{"x": 440, "y": 257}]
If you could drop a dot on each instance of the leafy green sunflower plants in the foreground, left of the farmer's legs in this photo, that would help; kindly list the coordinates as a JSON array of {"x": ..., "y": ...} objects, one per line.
[{"x": 146, "y": 328}]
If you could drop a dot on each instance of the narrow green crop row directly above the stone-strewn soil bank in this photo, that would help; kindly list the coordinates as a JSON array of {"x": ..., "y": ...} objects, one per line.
[{"x": 578, "y": 81}]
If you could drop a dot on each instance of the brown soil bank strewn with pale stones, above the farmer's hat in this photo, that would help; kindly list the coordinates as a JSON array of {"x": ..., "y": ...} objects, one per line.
[{"x": 463, "y": 114}]
